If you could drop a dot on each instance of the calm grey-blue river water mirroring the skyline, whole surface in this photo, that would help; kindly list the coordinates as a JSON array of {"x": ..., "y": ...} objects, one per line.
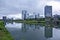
[{"x": 23, "y": 31}]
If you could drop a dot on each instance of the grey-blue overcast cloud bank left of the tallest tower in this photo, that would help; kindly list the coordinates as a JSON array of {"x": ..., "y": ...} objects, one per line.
[{"x": 8, "y": 7}]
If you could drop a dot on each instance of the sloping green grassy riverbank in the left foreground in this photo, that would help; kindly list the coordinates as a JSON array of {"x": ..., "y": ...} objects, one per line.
[{"x": 4, "y": 34}]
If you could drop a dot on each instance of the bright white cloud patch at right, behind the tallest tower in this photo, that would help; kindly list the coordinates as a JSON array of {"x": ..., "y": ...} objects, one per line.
[{"x": 55, "y": 6}]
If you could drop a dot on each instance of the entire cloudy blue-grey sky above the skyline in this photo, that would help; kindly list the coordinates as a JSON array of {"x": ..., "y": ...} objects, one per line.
[{"x": 14, "y": 7}]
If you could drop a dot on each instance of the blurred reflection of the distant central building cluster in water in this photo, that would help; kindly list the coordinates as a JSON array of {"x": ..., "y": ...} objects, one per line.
[{"x": 26, "y": 27}]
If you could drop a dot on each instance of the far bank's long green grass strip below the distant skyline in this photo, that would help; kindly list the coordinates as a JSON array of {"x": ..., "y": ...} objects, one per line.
[{"x": 42, "y": 22}]
